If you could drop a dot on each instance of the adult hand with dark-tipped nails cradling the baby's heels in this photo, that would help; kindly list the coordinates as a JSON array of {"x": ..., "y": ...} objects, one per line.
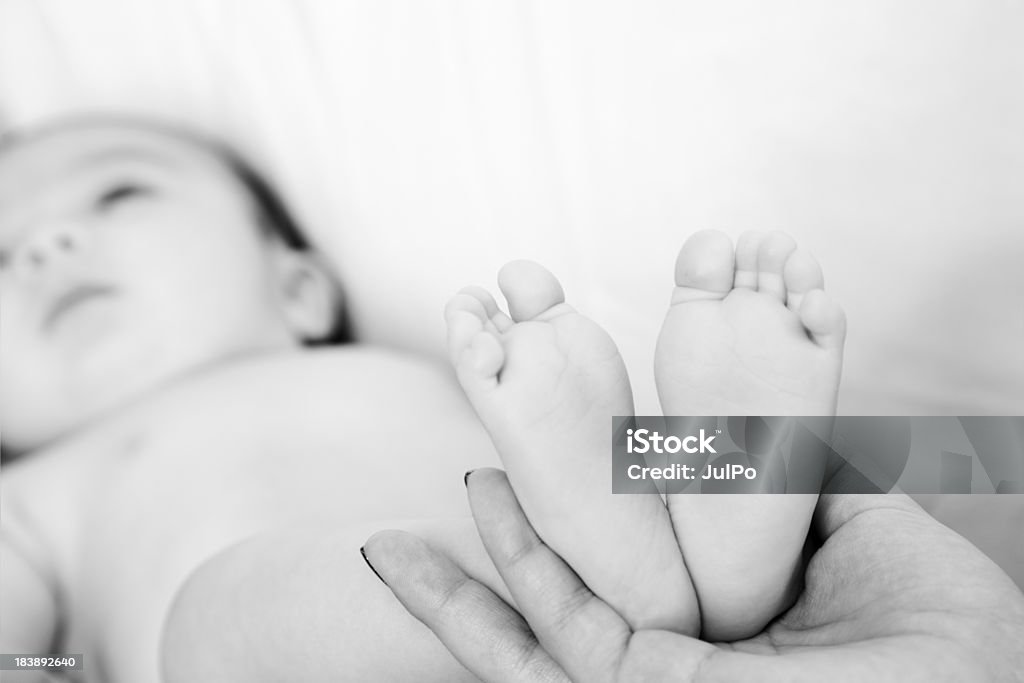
[{"x": 891, "y": 595}]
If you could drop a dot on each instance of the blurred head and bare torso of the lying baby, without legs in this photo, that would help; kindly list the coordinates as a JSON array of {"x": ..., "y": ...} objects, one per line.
[{"x": 157, "y": 385}]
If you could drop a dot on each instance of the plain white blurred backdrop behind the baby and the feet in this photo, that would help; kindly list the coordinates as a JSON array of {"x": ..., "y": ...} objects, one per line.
[{"x": 424, "y": 145}]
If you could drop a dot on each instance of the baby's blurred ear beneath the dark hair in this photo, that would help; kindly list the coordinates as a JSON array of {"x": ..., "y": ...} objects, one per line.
[{"x": 311, "y": 298}]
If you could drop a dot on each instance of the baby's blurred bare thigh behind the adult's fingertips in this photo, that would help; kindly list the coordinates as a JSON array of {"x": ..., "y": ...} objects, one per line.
[{"x": 304, "y": 606}]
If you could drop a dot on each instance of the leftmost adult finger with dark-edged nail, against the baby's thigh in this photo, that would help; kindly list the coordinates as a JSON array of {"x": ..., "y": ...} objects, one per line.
[{"x": 484, "y": 633}]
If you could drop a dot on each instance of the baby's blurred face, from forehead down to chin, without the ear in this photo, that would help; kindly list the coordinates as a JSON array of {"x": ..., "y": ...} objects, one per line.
[{"x": 127, "y": 258}]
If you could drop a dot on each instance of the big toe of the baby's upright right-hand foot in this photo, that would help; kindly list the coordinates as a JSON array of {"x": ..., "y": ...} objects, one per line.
[{"x": 705, "y": 268}]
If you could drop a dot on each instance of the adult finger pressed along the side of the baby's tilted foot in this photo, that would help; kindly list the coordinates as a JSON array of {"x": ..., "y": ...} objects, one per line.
[{"x": 581, "y": 632}]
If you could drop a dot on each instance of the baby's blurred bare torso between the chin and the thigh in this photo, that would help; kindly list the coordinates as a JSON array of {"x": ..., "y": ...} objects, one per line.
[{"x": 348, "y": 438}]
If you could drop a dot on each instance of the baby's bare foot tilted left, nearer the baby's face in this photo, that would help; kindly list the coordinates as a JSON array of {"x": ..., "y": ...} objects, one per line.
[{"x": 546, "y": 382}]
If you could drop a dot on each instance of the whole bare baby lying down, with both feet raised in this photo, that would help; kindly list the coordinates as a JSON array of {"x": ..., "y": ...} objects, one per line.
[{"x": 196, "y": 474}]
